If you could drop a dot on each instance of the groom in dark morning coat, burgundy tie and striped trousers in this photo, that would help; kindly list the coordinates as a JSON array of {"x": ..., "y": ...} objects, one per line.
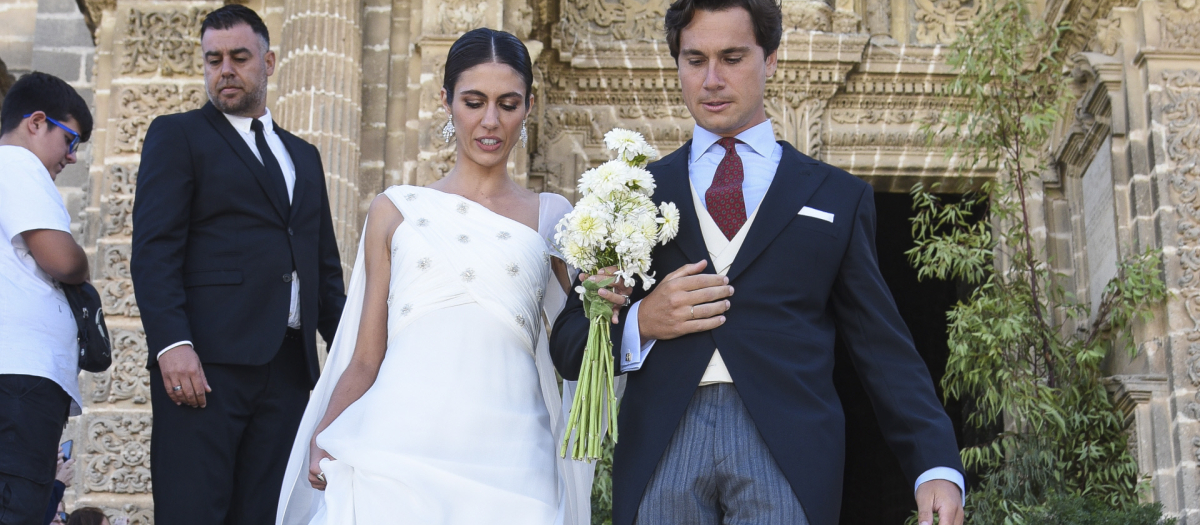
[{"x": 730, "y": 413}]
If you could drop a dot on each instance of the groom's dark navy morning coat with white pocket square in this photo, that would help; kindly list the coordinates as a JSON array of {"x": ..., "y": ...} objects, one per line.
[{"x": 800, "y": 281}]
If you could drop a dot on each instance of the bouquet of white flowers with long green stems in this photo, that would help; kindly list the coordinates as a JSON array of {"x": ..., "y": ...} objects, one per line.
[{"x": 614, "y": 225}]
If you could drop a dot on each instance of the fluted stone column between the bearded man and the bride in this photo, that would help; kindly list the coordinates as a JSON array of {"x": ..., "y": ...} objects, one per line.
[{"x": 321, "y": 90}]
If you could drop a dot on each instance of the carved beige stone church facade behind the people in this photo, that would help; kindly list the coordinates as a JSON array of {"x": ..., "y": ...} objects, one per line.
[{"x": 857, "y": 81}]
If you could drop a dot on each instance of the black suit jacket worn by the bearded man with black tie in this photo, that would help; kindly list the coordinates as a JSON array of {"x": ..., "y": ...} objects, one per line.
[{"x": 215, "y": 243}]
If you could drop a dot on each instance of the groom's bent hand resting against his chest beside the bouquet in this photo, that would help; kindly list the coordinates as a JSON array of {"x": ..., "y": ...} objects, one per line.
[{"x": 686, "y": 301}]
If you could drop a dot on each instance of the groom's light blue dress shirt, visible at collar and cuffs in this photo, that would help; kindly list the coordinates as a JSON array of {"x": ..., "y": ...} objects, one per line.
[{"x": 760, "y": 156}]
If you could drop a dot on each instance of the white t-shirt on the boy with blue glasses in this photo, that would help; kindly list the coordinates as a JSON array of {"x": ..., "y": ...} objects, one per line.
[{"x": 38, "y": 331}]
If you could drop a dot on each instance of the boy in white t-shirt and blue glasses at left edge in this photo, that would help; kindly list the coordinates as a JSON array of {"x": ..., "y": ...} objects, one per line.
[{"x": 43, "y": 122}]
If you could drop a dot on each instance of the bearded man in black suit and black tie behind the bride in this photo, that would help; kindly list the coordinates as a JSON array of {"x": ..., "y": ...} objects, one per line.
[{"x": 236, "y": 269}]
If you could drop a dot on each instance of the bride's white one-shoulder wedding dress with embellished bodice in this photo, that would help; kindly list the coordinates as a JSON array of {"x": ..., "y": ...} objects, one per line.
[{"x": 464, "y": 421}]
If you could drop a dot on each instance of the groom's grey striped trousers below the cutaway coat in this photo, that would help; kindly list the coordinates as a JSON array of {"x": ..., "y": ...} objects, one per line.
[{"x": 718, "y": 470}]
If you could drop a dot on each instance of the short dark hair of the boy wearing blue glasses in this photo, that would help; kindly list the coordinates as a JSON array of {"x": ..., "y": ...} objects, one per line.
[{"x": 49, "y": 94}]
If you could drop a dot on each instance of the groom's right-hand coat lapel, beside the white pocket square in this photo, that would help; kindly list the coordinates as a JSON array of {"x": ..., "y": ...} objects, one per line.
[{"x": 791, "y": 189}]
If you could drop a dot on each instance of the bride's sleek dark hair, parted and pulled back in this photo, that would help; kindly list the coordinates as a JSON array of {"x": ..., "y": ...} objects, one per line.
[{"x": 485, "y": 46}]
